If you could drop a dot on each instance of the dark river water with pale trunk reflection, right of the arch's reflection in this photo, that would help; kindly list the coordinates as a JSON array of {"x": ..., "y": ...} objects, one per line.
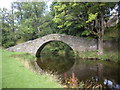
[{"x": 96, "y": 71}]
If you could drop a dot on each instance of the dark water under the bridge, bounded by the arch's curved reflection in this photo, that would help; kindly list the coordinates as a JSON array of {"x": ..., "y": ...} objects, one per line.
[{"x": 56, "y": 63}]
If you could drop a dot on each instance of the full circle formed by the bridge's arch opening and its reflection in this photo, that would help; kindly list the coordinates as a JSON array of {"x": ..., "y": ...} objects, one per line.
[{"x": 55, "y": 56}]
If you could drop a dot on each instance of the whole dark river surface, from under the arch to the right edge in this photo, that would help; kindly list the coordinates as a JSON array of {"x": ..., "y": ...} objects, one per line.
[{"x": 104, "y": 72}]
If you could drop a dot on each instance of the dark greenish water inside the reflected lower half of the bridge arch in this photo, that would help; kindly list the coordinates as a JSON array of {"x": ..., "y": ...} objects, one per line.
[{"x": 57, "y": 65}]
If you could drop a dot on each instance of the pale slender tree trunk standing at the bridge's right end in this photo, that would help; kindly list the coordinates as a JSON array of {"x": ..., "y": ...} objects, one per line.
[{"x": 100, "y": 38}]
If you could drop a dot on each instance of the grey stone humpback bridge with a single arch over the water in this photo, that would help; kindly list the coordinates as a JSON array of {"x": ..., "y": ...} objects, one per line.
[{"x": 35, "y": 46}]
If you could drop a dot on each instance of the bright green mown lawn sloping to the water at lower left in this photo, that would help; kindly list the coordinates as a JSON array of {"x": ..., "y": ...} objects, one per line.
[{"x": 15, "y": 75}]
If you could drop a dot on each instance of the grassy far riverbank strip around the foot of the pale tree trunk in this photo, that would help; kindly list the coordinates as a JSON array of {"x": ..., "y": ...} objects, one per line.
[{"x": 107, "y": 56}]
